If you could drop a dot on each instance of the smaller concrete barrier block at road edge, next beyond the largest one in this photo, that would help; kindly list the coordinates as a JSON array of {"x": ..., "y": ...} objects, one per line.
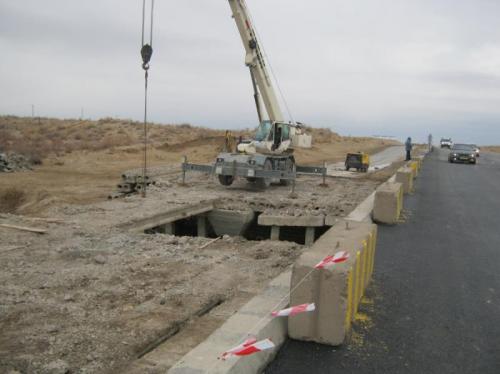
[{"x": 388, "y": 203}]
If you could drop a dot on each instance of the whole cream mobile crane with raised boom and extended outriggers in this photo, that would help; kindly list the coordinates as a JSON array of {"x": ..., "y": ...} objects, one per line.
[{"x": 269, "y": 156}]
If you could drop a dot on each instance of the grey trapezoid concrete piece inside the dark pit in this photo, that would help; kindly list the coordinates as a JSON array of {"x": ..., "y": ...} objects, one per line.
[{"x": 230, "y": 222}]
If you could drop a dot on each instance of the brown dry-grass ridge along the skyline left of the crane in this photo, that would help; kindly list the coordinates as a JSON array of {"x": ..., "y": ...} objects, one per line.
[{"x": 44, "y": 137}]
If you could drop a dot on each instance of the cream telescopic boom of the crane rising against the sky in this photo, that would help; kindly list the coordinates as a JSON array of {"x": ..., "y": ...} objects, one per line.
[{"x": 254, "y": 59}]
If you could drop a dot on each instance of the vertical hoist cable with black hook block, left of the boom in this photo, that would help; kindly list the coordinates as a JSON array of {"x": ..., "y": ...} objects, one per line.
[{"x": 146, "y": 53}]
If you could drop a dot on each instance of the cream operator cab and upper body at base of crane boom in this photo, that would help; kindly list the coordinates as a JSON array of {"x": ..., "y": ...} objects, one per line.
[{"x": 270, "y": 138}]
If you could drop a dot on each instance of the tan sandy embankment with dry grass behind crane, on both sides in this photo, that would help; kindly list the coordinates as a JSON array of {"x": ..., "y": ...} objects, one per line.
[{"x": 81, "y": 161}]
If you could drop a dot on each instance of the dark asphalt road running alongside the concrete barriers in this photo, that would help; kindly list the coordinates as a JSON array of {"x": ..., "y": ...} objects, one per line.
[{"x": 436, "y": 288}]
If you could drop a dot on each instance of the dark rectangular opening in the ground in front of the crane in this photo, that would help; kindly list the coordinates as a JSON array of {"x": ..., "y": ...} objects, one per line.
[{"x": 223, "y": 223}]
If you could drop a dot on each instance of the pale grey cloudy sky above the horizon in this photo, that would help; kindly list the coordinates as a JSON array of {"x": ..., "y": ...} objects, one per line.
[{"x": 361, "y": 67}]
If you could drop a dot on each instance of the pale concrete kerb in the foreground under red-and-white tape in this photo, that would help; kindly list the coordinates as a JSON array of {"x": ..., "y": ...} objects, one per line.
[{"x": 255, "y": 314}]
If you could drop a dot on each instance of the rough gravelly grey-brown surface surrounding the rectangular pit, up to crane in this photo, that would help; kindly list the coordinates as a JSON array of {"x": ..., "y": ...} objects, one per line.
[{"x": 90, "y": 298}]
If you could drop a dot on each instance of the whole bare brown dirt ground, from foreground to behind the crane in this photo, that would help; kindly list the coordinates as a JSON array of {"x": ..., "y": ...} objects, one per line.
[{"x": 90, "y": 297}]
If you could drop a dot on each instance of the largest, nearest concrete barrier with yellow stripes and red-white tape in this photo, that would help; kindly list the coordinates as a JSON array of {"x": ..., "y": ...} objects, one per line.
[{"x": 337, "y": 290}]
